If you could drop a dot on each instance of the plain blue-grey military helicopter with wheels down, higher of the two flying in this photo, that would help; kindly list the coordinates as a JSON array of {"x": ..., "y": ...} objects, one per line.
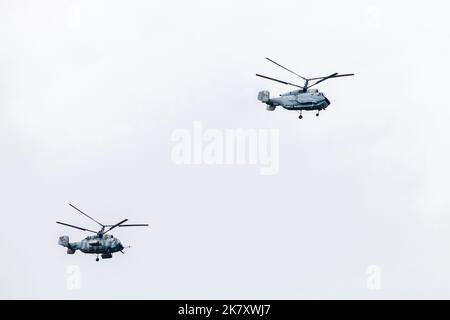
[{"x": 299, "y": 100}]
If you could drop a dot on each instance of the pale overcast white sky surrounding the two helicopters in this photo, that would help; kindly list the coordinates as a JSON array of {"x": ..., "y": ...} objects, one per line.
[{"x": 90, "y": 92}]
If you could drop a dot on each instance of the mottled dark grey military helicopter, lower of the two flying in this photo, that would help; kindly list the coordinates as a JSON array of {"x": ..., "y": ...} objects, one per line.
[{"x": 100, "y": 243}]
